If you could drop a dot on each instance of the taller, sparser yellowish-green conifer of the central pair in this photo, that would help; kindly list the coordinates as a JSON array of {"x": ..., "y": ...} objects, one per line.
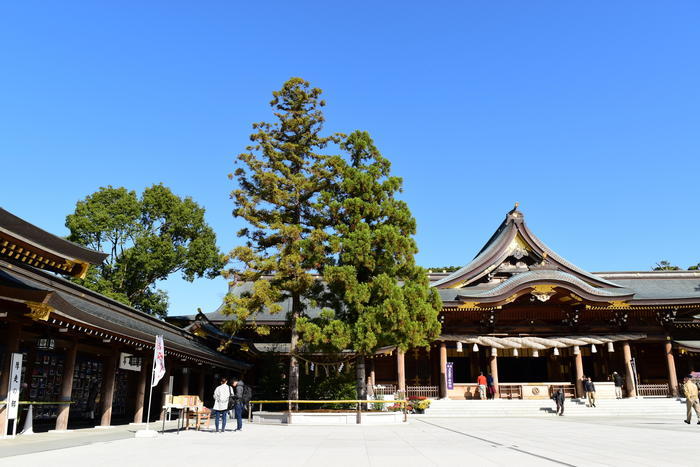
[{"x": 280, "y": 177}]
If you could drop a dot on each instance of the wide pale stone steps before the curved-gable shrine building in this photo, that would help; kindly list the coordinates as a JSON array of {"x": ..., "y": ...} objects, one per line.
[{"x": 661, "y": 407}]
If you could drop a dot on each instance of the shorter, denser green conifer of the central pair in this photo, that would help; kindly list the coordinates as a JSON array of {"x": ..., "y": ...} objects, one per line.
[{"x": 380, "y": 295}]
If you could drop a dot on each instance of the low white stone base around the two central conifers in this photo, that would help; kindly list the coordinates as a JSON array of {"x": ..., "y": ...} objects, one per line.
[{"x": 338, "y": 418}]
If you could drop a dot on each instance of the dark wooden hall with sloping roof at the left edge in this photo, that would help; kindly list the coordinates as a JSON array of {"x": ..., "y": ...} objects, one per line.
[{"x": 86, "y": 358}]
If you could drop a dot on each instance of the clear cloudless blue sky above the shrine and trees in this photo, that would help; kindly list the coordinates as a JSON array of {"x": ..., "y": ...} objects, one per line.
[{"x": 587, "y": 113}]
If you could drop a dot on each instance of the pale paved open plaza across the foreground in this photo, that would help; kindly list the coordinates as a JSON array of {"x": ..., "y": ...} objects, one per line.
[{"x": 423, "y": 441}]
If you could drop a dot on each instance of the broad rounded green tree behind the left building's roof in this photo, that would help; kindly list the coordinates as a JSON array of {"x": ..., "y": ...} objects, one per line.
[{"x": 147, "y": 238}]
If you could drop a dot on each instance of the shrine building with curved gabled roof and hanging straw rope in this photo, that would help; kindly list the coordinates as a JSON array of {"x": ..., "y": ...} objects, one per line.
[{"x": 535, "y": 322}]
